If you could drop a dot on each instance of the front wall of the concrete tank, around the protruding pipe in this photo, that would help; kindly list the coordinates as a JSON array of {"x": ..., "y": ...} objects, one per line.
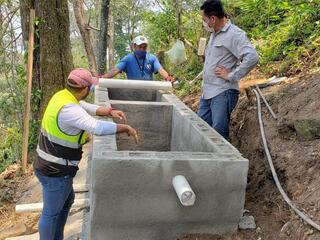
[{"x": 134, "y": 197}]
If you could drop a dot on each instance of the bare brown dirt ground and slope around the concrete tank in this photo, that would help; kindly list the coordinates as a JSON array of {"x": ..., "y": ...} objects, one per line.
[{"x": 297, "y": 163}]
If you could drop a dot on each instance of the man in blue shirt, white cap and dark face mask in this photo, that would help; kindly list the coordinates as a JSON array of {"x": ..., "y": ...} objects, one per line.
[{"x": 139, "y": 65}]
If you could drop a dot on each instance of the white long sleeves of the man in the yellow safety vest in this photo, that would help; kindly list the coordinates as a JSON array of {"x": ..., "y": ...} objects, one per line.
[{"x": 74, "y": 117}]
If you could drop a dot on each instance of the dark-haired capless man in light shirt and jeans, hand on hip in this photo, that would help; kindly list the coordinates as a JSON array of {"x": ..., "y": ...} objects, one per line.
[{"x": 229, "y": 57}]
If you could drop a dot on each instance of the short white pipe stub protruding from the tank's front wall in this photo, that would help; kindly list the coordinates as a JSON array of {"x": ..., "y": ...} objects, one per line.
[{"x": 183, "y": 190}]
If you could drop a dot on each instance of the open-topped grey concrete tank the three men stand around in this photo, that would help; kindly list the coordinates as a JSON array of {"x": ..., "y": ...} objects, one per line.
[{"x": 132, "y": 196}]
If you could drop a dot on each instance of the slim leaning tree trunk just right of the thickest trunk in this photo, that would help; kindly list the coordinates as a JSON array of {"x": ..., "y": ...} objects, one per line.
[{"x": 85, "y": 34}]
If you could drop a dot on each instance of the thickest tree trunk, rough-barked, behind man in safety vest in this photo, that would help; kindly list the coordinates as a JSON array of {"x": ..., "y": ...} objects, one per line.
[{"x": 54, "y": 54}]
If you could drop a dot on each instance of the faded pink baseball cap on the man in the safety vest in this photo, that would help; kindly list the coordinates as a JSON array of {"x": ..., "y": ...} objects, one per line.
[{"x": 82, "y": 77}]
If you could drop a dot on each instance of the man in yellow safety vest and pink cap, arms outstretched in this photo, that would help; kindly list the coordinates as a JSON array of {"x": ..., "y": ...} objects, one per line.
[{"x": 65, "y": 124}]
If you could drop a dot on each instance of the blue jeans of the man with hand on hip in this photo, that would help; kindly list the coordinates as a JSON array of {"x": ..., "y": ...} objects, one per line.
[{"x": 216, "y": 111}]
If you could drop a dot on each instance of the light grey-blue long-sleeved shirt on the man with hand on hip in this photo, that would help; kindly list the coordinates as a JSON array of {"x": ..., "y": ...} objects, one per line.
[{"x": 229, "y": 48}]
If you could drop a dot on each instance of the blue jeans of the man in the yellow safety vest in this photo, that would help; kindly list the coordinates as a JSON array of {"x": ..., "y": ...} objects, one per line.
[{"x": 58, "y": 196}]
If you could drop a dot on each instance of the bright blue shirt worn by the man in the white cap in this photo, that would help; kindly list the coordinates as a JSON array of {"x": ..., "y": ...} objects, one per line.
[{"x": 139, "y": 69}]
